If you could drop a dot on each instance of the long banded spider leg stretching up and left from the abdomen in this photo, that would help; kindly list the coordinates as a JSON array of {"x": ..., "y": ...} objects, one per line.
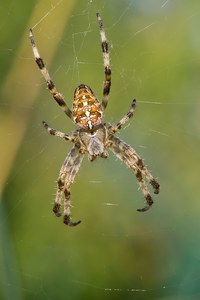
[{"x": 51, "y": 86}]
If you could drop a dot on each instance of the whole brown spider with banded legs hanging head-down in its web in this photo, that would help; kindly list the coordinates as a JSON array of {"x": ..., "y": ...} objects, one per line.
[{"x": 93, "y": 137}]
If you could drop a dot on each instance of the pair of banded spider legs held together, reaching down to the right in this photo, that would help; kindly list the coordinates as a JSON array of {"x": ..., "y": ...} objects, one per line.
[{"x": 129, "y": 156}]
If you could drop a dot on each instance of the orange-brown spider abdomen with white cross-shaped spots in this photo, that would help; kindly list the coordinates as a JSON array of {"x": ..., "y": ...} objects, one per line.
[{"x": 87, "y": 111}]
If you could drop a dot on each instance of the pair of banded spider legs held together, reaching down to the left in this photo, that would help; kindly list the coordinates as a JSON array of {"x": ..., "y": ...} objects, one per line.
[{"x": 66, "y": 178}]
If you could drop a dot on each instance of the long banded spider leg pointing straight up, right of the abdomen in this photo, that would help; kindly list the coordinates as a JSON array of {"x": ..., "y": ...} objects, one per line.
[{"x": 106, "y": 61}]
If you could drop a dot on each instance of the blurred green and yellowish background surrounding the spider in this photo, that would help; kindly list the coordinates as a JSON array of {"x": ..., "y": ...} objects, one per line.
[{"x": 116, "y": 252}]
